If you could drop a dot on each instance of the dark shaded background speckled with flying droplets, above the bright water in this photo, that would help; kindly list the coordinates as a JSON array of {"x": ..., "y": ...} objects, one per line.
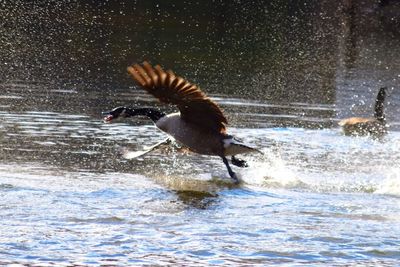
[{"x": 314, "y": 51}]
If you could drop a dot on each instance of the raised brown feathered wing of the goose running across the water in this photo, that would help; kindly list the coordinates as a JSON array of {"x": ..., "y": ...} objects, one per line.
[{"x": 194, "y": 105}]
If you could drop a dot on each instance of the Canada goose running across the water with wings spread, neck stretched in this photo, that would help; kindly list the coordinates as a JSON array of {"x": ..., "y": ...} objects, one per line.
[{"x": 200, "y": 125}]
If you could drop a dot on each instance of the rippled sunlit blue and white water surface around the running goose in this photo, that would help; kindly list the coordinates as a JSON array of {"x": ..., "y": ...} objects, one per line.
[{"x": 67, "y": 197}]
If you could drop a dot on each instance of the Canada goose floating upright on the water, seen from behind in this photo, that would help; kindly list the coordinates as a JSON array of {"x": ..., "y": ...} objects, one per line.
[{"x": 375, "y": 126}]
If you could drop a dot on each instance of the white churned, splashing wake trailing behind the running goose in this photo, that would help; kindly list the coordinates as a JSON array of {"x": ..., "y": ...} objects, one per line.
[{"x": 325, "y": 161}]
